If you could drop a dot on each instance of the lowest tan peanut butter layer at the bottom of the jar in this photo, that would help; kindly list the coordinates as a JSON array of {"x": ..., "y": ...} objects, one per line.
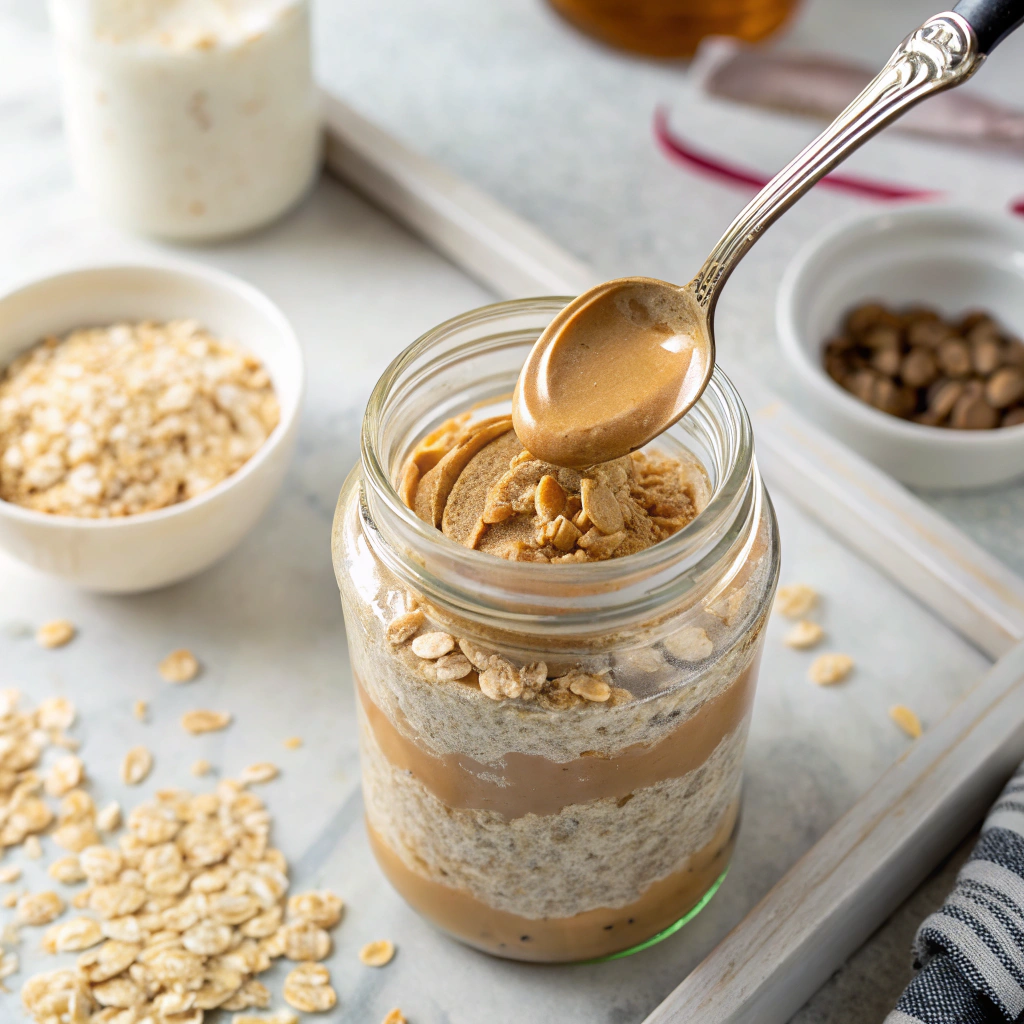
[{"x": 601, "y": 932}]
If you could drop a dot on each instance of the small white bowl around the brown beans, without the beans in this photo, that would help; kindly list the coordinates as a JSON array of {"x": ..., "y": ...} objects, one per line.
[{"x": 947, "y": 258}]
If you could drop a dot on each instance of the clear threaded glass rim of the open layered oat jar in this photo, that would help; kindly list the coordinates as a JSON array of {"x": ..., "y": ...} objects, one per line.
[{"x": 639, "y": 580}]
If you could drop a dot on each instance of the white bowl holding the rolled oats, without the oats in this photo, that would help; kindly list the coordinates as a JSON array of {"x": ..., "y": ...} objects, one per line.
[{"x": 153, "y": 549}]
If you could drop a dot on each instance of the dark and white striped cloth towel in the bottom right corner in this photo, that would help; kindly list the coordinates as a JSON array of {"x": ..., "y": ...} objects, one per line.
[{"x": 971, "y": 953}]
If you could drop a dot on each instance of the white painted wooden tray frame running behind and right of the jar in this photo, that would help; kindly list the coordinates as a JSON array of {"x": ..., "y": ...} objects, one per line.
[{"x": 832, "y": 901}]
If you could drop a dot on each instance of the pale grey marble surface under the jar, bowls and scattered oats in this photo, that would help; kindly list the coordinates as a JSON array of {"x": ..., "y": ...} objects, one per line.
[{"x": 267, "y": 622}]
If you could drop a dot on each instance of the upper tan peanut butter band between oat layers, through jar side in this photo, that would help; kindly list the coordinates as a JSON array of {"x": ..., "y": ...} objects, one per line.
[{"x": 524, "y": 784}]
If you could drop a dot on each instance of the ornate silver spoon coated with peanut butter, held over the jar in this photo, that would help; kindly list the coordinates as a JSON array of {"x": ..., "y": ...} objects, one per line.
[{"x": 626, "y": 360}]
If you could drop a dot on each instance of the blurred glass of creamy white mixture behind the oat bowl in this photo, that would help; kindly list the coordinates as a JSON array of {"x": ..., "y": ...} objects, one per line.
[{"x": 190, "y": 119}]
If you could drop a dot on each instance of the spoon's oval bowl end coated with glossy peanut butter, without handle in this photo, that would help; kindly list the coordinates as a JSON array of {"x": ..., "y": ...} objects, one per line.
[{"x": 615, "y": 369}]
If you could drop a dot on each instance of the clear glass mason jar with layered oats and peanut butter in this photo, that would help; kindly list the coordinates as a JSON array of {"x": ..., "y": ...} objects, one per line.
[{"x": 557, "y": 830}]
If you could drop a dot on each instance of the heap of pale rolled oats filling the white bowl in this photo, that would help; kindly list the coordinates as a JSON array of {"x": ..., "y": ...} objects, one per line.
[{"x": 129, "y": 418}]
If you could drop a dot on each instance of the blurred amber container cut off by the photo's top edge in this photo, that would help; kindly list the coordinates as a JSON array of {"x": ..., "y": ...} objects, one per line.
[{"x": 673, "y": 28}]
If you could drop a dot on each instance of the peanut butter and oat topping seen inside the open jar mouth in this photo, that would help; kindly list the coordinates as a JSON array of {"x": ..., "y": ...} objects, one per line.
[{"x": 480, "y": 486}]
